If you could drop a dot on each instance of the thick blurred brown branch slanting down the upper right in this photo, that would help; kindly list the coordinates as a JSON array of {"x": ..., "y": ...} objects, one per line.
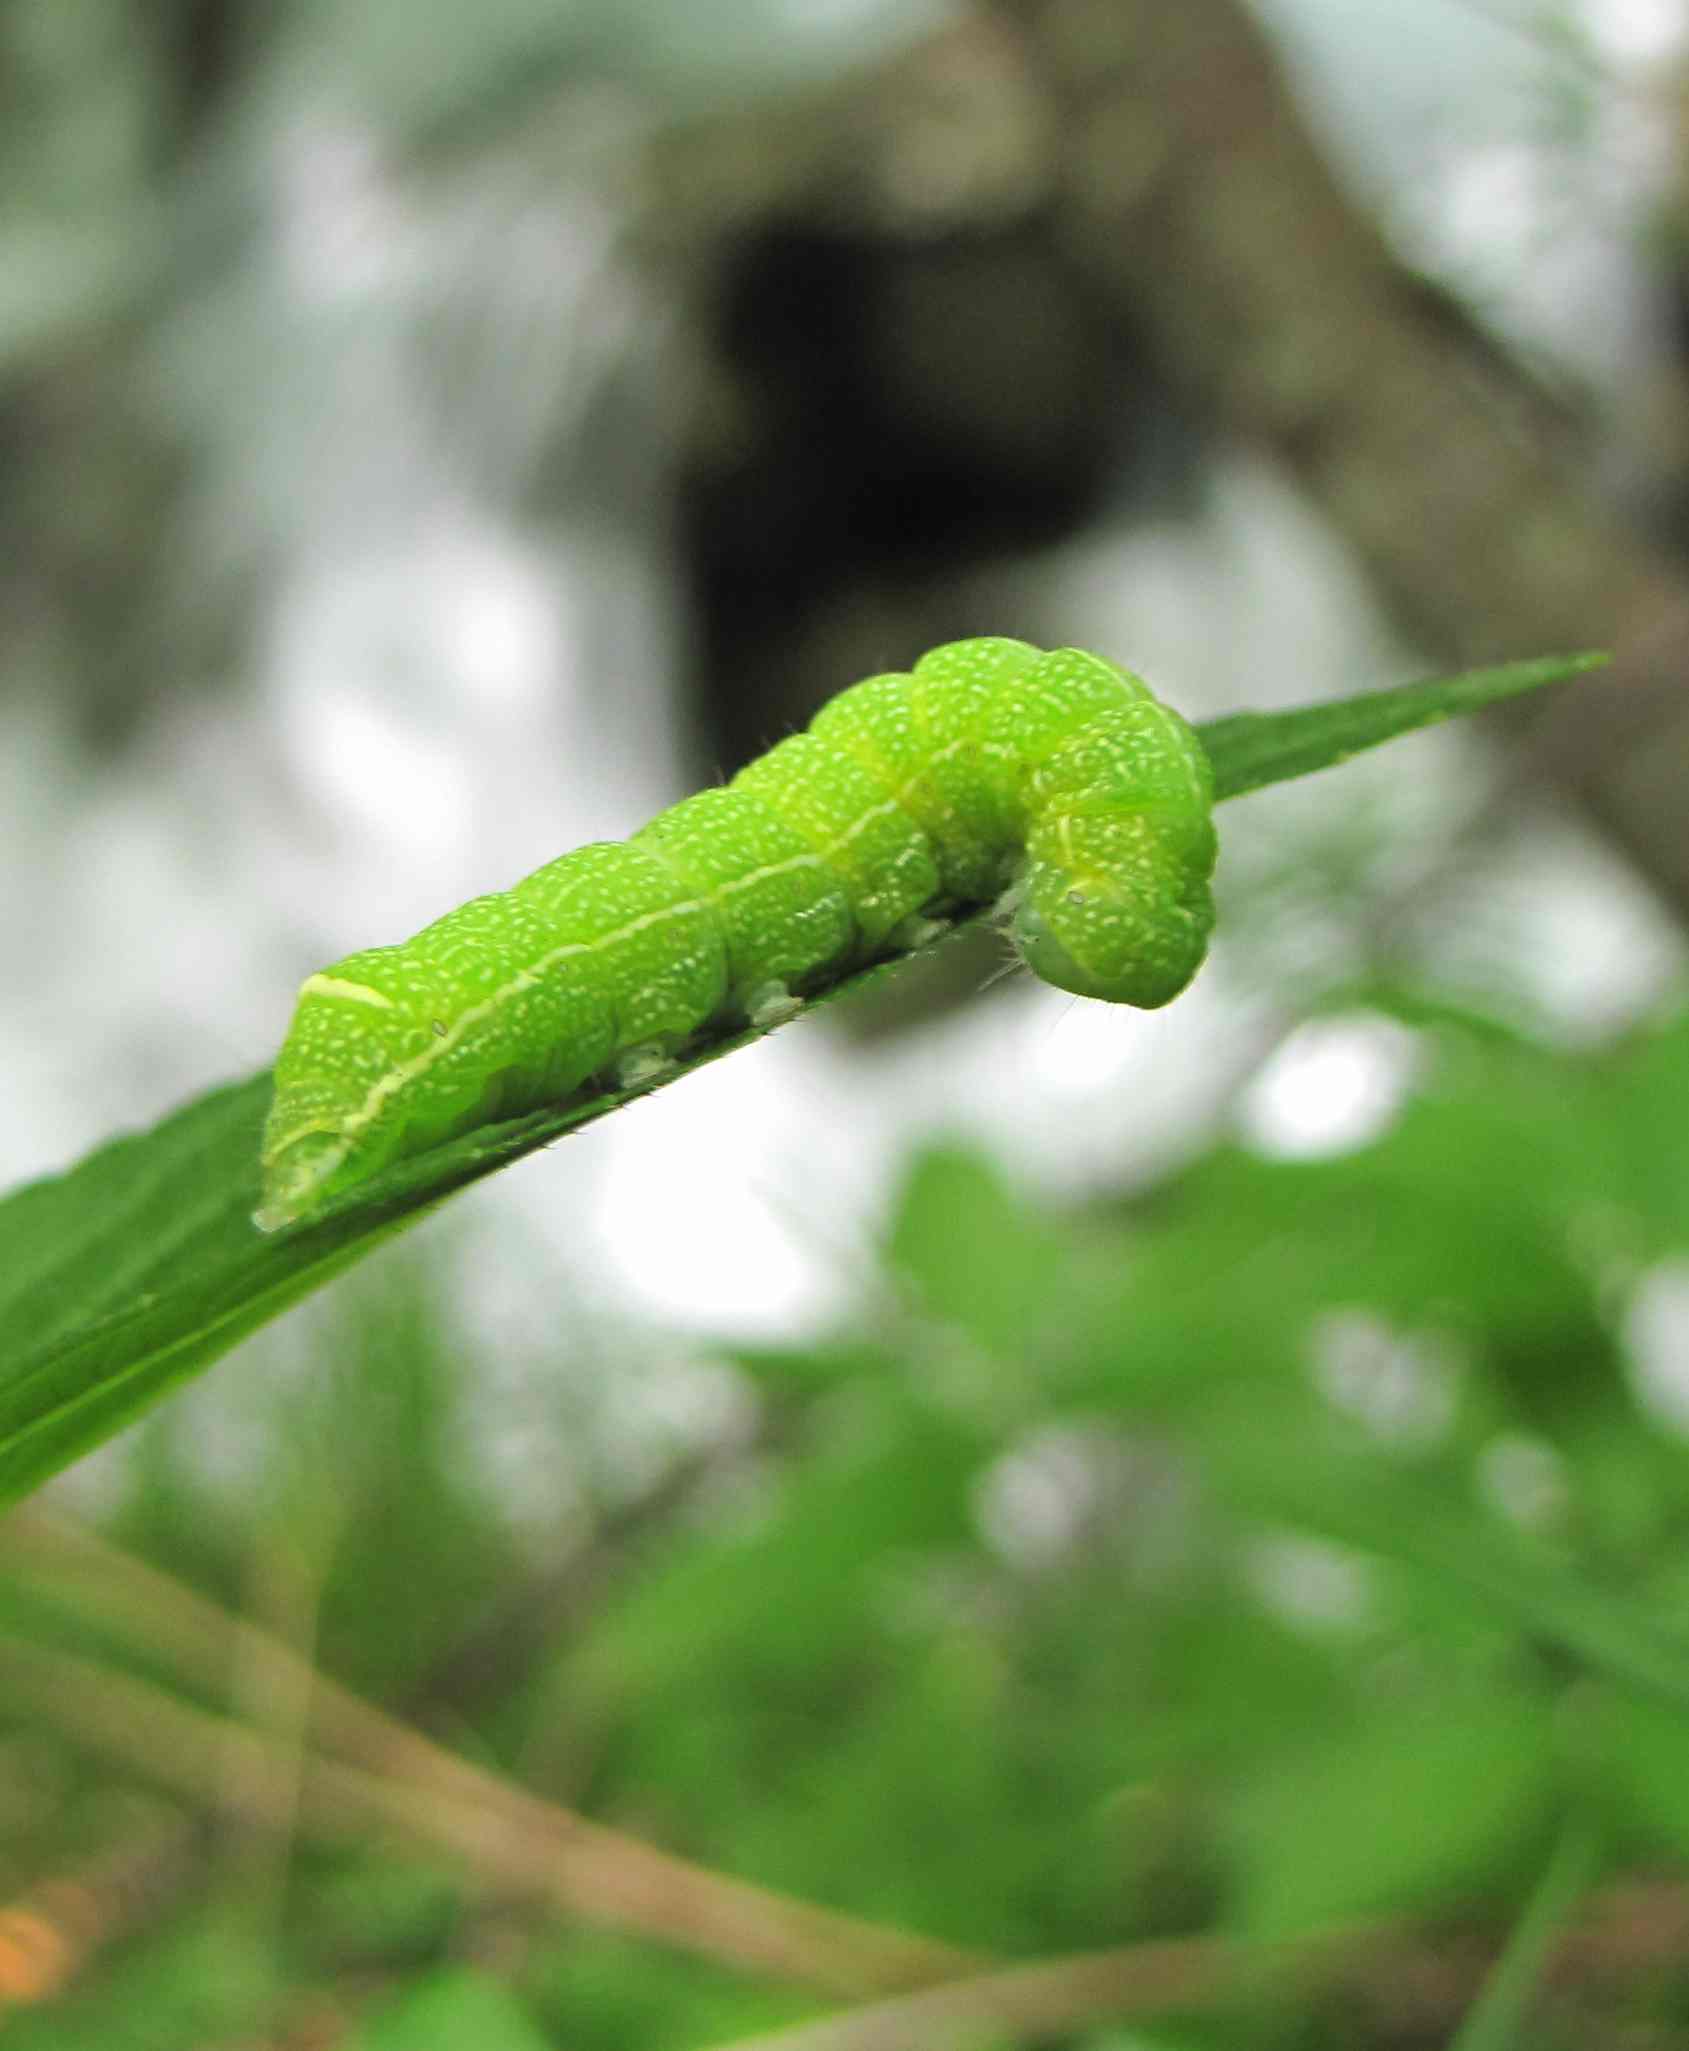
[{"x": 1190, "y": 190}]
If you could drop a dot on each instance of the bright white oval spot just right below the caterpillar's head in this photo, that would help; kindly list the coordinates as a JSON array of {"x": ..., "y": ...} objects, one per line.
[{"x": 1335, "y": 1086}]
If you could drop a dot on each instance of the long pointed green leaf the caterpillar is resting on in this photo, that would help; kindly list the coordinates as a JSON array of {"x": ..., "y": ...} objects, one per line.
[{"x": 140, "y": 1266}]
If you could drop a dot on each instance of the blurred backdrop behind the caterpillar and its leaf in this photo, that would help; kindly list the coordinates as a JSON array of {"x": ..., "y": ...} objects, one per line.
[{"x": 981, "y": 1476}]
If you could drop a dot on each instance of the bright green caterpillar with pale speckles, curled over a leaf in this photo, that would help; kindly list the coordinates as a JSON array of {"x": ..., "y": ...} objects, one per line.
[{"x": 1053, "y": 785}]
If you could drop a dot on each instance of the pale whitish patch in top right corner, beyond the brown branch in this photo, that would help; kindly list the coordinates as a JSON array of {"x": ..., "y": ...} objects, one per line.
[{"x": 1510, "y": 149}]
